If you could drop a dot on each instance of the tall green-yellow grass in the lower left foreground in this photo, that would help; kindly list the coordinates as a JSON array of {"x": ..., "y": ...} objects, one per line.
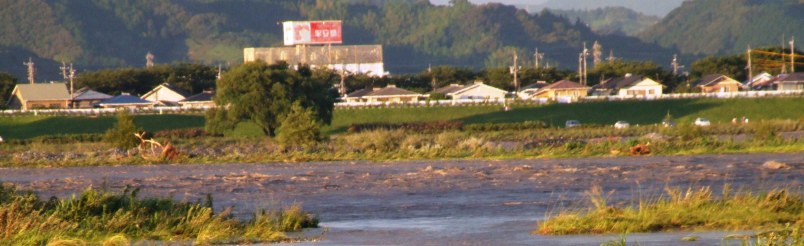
[{"x": 105, "y": 218}]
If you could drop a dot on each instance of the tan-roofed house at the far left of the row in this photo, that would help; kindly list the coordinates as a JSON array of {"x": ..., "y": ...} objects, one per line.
[{"x": 34, "y": 96}]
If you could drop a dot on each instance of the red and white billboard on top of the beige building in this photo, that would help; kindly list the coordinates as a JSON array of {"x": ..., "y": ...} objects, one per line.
[{"x": 312, "y": 32}]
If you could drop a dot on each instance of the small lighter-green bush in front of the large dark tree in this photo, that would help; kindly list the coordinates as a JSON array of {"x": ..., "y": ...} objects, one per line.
[{"x": 299, "y": 129}]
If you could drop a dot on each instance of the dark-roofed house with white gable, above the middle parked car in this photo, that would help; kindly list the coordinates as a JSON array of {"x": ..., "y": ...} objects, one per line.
[{"x": 628, "y": 85}]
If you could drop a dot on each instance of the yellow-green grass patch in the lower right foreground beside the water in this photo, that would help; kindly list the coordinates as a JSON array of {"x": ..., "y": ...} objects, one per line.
[{"x": 693, "y": 209}]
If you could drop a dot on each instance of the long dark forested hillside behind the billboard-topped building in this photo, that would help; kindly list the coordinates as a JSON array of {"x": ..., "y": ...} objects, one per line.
[{"x": 113, "y": 33}]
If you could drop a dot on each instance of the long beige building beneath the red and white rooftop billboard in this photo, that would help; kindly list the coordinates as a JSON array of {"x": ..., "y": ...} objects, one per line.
[{"x": 366, "y": 59}]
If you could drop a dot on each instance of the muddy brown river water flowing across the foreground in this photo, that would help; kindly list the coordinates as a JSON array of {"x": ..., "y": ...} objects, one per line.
[{"x": 464, "y": 202}]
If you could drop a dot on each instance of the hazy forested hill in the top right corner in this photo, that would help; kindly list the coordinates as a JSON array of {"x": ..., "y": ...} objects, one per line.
[{"x": 729, "y": 26}]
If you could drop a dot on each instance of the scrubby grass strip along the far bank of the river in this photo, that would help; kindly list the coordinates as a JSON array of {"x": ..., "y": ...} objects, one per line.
[{"x": 492, "y": 141}]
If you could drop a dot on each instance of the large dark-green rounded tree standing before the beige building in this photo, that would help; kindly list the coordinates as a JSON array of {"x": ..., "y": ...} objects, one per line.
[{"x": 264, "y": 94}]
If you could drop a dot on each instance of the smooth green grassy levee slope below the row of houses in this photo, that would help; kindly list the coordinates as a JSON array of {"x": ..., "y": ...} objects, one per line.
[{"x": 604, "y": 113}]
